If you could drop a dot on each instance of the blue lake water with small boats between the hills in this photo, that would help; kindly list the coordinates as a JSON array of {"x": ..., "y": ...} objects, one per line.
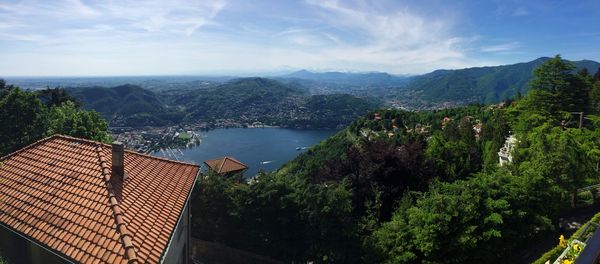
[{"x": 253, "y": 146}]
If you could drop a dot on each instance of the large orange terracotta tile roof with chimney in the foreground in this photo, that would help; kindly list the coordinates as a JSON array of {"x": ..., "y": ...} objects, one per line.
[{"x": 58, "y": 193}]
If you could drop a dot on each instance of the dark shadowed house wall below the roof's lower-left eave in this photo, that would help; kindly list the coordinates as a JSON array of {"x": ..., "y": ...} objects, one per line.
[{"x": 16, "y": 249}]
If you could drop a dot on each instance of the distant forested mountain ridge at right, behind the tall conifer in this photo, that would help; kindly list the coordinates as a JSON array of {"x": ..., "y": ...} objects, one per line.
[{"x": 482, "y": 84}]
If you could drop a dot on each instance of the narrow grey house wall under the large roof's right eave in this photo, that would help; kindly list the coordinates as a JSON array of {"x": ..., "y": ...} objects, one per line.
[{"x": 178, "y": 249}]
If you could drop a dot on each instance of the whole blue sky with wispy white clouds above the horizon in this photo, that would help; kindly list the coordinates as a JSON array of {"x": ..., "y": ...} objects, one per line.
[{"x": 240, "y": 37}]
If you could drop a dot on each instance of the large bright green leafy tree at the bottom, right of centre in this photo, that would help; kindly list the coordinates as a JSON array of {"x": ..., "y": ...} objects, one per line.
[{"x": 478, "y": 220}]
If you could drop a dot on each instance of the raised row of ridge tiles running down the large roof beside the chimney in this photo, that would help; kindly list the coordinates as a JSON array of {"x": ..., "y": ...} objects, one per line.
[{"x": 125, "y": 237}]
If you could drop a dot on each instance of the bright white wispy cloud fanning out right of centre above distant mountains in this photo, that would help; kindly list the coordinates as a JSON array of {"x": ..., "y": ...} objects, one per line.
[{"x": 392, "y": 36}]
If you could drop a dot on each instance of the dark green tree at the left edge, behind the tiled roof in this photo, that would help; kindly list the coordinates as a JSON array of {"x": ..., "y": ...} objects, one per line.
[{"x": 22, "y": 116}]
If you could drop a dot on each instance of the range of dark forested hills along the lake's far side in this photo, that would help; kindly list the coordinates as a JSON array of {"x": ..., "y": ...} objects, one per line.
[{"x": 244, "y": 101}]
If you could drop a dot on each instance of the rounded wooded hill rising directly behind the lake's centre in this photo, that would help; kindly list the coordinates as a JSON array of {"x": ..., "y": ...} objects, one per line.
[{"x": 273, "y": 103}]
